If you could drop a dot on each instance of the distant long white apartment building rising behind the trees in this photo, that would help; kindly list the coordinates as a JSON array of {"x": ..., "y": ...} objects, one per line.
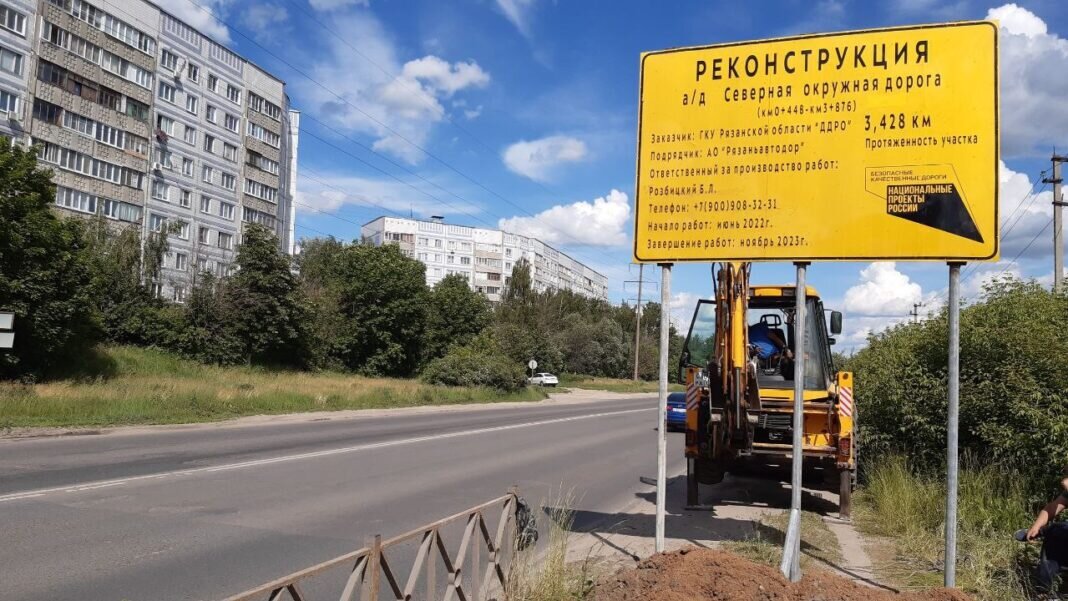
[{"x": 485, "y": 258}]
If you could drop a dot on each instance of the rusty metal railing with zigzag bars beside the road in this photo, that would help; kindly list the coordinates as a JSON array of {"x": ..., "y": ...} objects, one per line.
[{"x": 382, "y": 571}]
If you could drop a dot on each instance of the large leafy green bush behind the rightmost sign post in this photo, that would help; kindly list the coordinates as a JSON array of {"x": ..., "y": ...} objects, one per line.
[{"x": 1014, "y": 386}]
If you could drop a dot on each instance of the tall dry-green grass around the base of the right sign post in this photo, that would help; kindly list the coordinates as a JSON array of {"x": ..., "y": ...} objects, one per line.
[{"x": 909, "y": 509}]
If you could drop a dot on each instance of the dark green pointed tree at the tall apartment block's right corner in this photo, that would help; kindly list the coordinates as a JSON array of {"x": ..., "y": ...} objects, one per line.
[{"x": 266, "y": 307}]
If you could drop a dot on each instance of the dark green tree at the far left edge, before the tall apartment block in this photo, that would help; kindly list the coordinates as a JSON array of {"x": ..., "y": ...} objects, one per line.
[{"x": 44, "y": 270}]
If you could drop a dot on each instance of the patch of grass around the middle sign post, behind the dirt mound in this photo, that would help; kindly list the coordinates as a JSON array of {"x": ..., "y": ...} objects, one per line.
[{"x": 819, "y": 544}]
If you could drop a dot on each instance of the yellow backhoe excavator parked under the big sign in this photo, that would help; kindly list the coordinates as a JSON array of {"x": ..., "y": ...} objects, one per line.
[{"x": 741, "y": 401}]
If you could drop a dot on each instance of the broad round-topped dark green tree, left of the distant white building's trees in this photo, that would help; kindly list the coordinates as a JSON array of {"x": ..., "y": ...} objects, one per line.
[{"x": 382, "y": 296}]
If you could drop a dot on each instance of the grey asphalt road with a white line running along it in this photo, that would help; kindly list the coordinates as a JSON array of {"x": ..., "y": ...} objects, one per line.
[{"x": 206, "y": 513}]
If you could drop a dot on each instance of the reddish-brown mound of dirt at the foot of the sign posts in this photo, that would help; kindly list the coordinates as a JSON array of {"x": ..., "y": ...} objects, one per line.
[{"x": 697, "y": 575}]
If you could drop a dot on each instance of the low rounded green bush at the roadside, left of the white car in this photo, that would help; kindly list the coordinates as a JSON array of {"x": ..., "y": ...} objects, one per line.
[{"x": 478, "y": 365}]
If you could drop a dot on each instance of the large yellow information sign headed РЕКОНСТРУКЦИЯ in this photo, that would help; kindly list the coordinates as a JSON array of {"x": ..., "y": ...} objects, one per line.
[{"x": 877, "y": 145}]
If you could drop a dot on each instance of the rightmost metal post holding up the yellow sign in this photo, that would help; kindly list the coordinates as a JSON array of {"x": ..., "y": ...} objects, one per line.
[{"x": 952, "y": 428}]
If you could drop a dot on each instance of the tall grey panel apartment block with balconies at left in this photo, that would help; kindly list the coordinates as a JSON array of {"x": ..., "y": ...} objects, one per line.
[{"x": 150, "y": 123}]
